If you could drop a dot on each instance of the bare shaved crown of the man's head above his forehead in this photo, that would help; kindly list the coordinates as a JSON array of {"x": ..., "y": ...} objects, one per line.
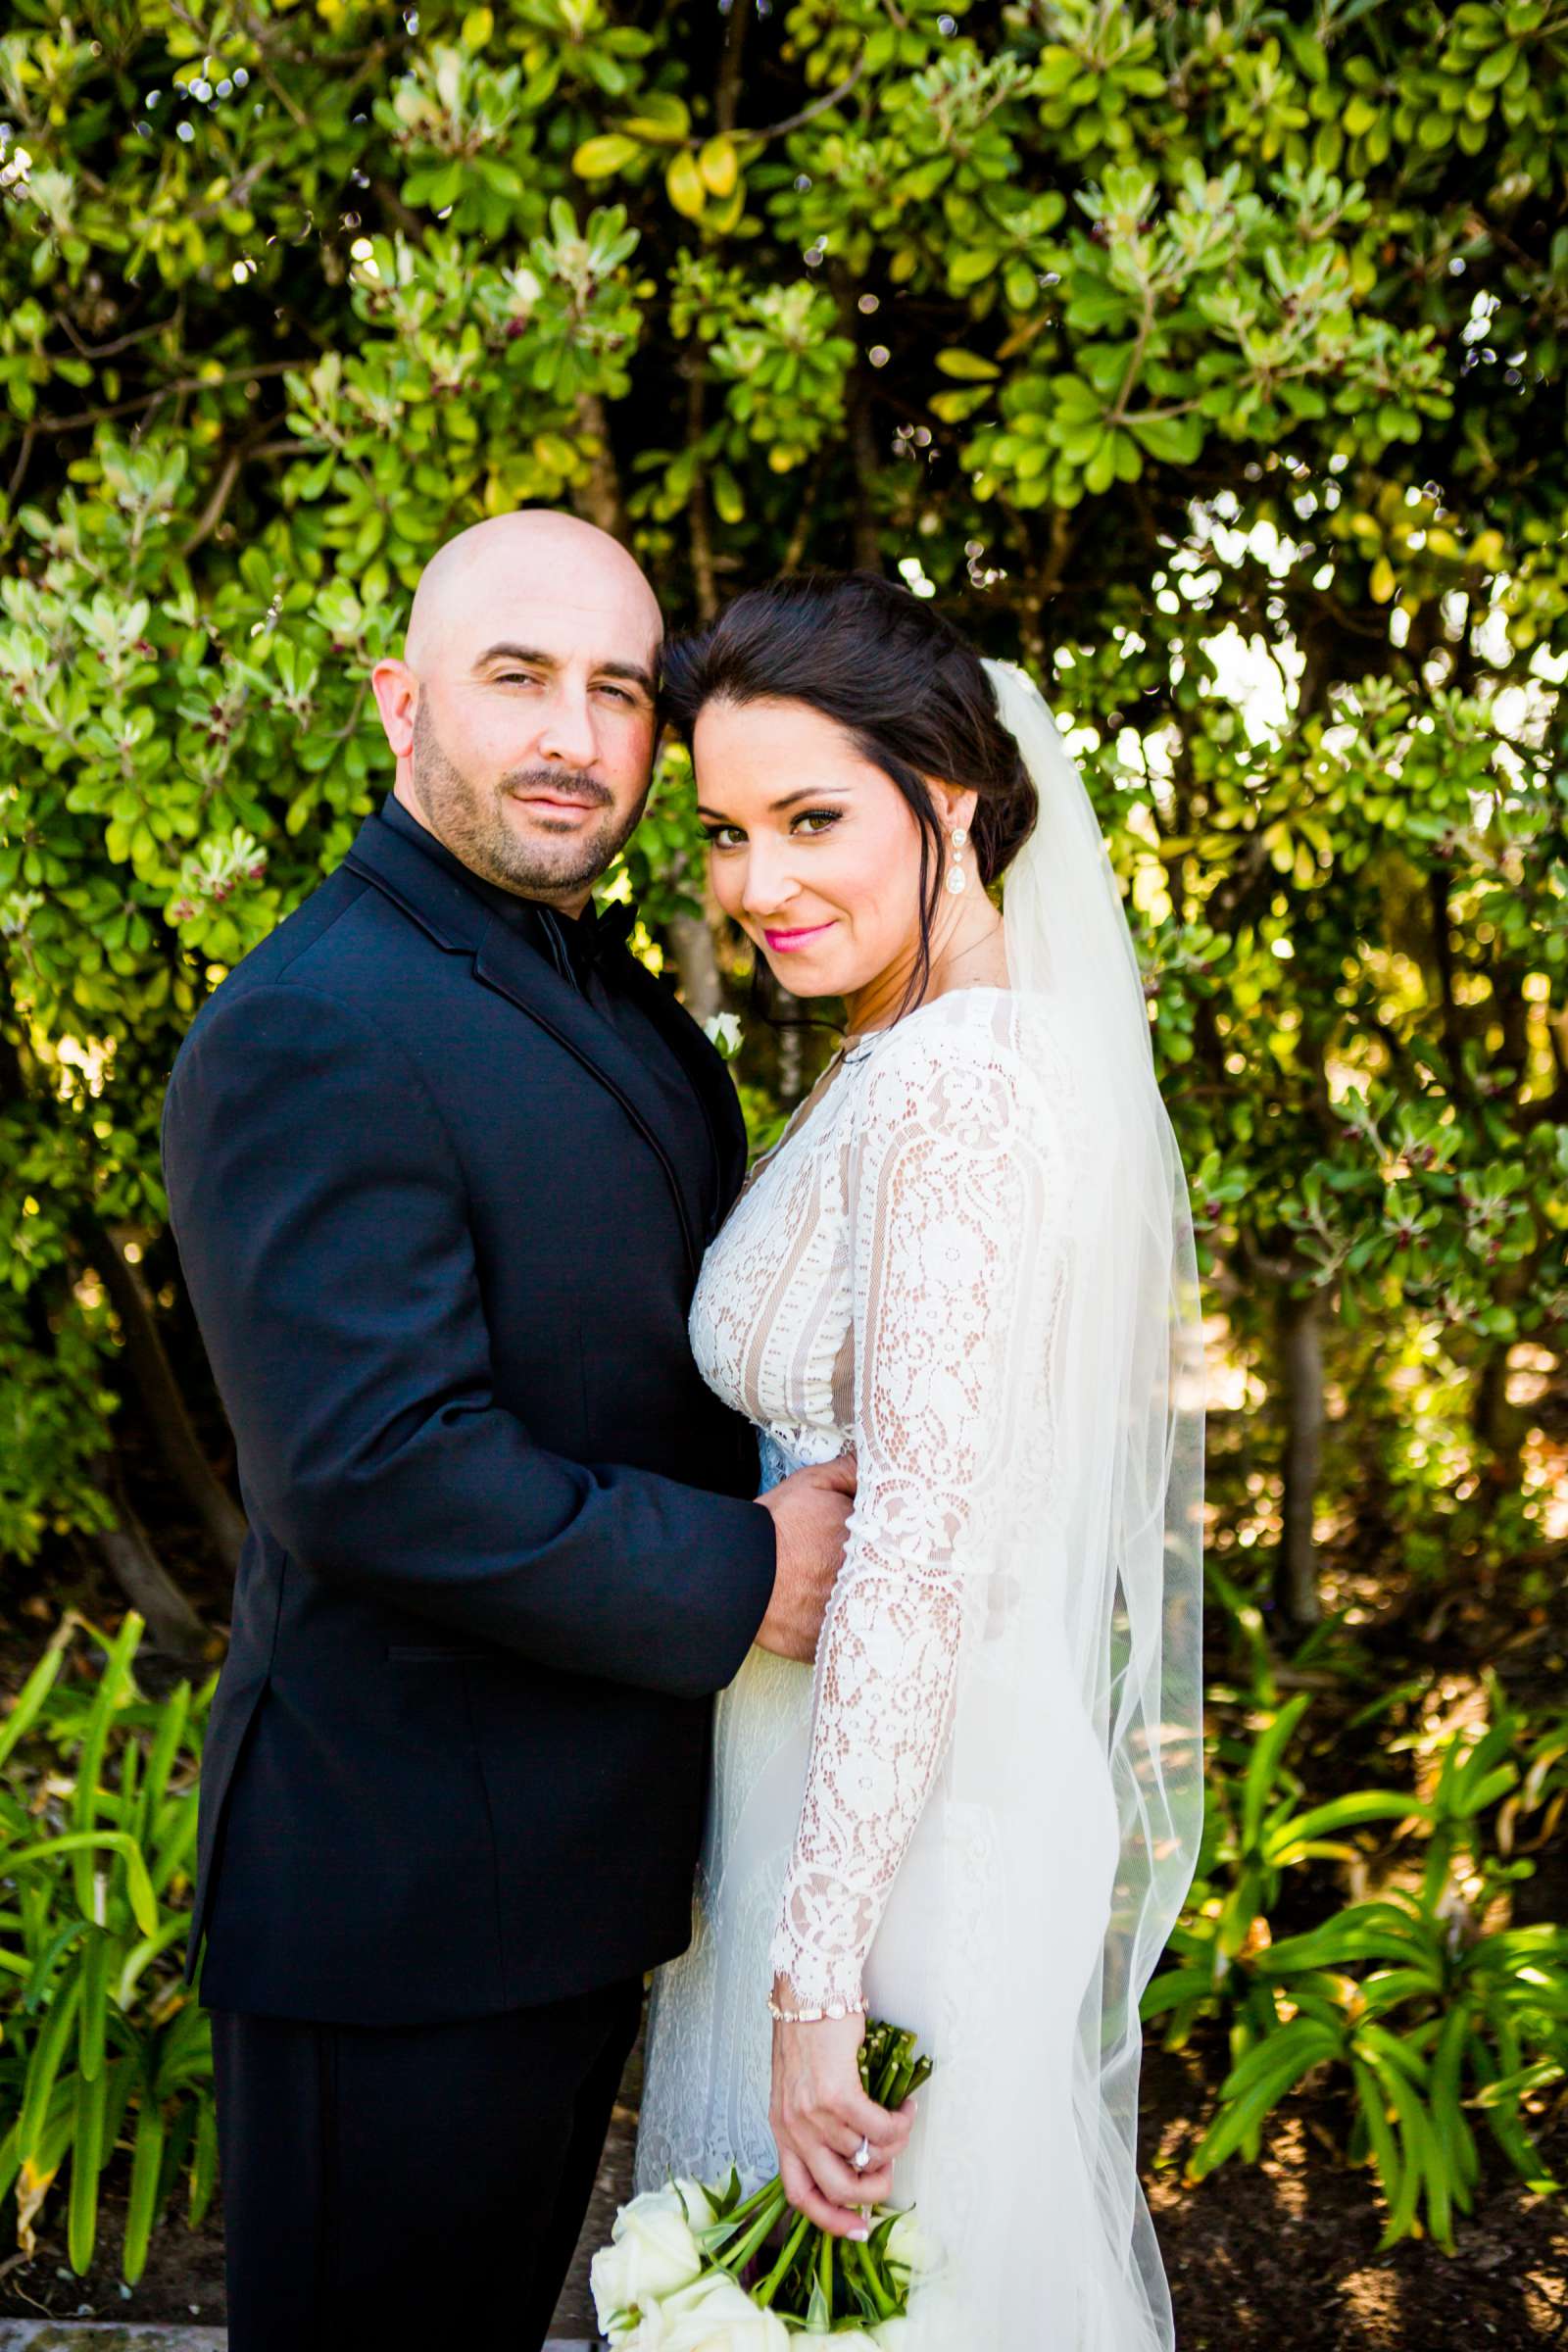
[{"x": 528, "y": 556}]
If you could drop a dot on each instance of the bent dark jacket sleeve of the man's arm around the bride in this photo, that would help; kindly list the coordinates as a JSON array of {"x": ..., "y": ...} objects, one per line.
[{"x": 323, "y": 1227}]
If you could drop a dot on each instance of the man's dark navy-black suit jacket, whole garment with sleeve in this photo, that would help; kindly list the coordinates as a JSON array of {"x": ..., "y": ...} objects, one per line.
[{"x": 502, "y": 1544}]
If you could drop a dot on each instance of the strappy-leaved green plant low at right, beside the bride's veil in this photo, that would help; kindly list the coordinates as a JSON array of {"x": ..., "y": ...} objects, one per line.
[{"x": 1426, "y": 2003}]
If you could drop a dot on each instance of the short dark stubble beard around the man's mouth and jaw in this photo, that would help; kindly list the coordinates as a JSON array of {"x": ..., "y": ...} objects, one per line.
[{"x": 471, "y": 822}]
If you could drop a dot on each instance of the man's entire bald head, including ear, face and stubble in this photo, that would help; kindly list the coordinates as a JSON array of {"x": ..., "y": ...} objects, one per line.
[{"x": 523, "y": 714}]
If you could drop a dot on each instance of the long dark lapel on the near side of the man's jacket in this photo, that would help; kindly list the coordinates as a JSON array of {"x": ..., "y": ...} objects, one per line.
[{"x": 460, "y": 921}]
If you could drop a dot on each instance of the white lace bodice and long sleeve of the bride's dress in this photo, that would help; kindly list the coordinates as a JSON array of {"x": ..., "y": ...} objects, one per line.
[{"x": 862, "y": 1297}]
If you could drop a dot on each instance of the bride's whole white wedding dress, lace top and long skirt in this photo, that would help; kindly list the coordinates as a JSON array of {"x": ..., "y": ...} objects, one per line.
[{"x": 890, "y": 1281}]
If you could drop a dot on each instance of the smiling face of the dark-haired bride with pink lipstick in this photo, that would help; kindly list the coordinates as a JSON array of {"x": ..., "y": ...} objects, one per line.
[{"x": 815, "y": 850}]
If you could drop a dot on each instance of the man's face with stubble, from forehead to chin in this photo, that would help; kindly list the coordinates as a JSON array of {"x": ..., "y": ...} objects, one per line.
[{"x": 535, "y": 733}]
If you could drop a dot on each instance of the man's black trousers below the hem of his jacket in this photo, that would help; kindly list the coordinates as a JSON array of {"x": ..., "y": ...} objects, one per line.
[{"x": 413, "y": 2186}]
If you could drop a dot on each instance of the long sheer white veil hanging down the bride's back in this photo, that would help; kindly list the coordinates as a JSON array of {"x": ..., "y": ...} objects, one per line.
[{"x": 1078, "y": 1725}]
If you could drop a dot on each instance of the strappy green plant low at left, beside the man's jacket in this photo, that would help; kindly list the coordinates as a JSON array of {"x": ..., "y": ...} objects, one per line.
[{"x": 102, "y": 2045}]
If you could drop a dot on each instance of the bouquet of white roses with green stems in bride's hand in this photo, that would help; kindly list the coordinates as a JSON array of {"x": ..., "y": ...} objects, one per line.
[{"x": 697, "y": 2269}]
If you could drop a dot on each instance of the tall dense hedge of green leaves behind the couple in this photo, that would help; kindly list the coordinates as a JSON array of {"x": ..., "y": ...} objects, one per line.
[{"x": 1209, "y": 361}]
